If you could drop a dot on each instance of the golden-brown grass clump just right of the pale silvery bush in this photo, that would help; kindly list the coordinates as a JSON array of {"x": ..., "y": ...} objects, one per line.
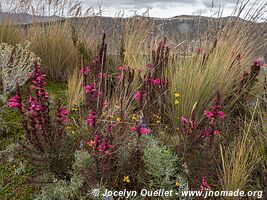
[{"x": 54, "y": 45}]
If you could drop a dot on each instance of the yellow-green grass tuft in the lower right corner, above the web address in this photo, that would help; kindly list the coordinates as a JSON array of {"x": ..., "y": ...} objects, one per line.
[{"x": 239, "y": 159}]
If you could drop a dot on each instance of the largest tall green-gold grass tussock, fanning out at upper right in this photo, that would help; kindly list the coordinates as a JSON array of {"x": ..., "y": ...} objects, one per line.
[{"x": 197, "y": 77}]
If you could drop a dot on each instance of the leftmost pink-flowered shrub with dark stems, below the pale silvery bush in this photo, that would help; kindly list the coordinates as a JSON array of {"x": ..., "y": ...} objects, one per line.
[{"x": 48, "y": 146}]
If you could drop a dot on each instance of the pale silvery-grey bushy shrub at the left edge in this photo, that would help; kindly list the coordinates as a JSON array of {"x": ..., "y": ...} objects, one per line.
[{"x": 16, "y": 63}]
